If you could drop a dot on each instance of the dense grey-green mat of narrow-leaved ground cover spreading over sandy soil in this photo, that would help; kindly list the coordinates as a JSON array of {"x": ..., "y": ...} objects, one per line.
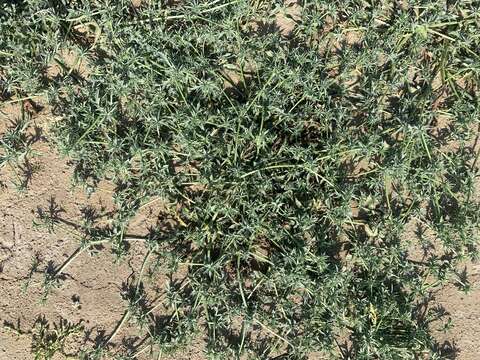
[{"x": 291, "y": 145}]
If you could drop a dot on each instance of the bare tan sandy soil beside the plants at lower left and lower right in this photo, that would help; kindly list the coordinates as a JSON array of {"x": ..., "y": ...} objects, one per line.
[{"x": 90, "y": 294}]
